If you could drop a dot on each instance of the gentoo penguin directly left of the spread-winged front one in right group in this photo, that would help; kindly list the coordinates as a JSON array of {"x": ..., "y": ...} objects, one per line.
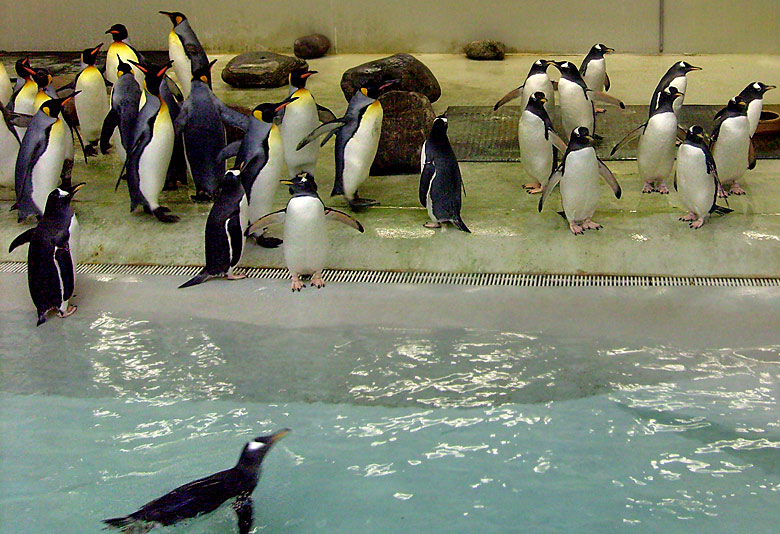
[{"x": 538, "y": 142}]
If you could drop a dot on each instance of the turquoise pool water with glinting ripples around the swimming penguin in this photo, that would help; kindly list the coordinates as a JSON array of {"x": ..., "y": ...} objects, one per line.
[{"x": 431, "y": 430}]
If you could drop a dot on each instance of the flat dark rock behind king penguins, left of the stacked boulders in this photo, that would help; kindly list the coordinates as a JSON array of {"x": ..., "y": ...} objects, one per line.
[{"x": 260, "y": 69}]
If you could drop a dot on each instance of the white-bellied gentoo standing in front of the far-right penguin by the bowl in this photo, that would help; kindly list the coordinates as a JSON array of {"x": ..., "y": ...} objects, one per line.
[{"x": 731, "y": 146}]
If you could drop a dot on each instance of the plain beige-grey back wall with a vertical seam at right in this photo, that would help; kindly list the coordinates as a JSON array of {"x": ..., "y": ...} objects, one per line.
[{"x": 695, "y": 26}]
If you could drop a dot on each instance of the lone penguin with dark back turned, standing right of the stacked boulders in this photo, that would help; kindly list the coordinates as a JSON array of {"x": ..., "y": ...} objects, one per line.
[{"x": 440, "y": 179}]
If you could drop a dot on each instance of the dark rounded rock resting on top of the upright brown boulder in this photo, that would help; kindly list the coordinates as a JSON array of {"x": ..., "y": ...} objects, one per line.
[{"x": 414, "y": 76}]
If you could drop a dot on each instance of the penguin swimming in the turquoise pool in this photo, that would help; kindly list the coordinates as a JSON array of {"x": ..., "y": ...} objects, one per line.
[{"x": 205, "y": 495}]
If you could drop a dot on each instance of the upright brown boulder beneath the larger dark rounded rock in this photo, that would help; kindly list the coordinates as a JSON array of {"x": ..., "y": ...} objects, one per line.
[{"x": 408, "y": 117}]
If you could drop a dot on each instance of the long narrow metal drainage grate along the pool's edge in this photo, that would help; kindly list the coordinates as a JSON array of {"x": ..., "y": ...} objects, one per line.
[{"x": 396, "y": 277}]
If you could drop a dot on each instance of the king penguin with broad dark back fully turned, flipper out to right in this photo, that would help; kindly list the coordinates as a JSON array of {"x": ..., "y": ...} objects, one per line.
[{"x": 200, "y": 121}]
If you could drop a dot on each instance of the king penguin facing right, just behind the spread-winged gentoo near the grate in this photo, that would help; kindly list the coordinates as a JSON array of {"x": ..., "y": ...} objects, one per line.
[{"x": 260, "y": 156}]
